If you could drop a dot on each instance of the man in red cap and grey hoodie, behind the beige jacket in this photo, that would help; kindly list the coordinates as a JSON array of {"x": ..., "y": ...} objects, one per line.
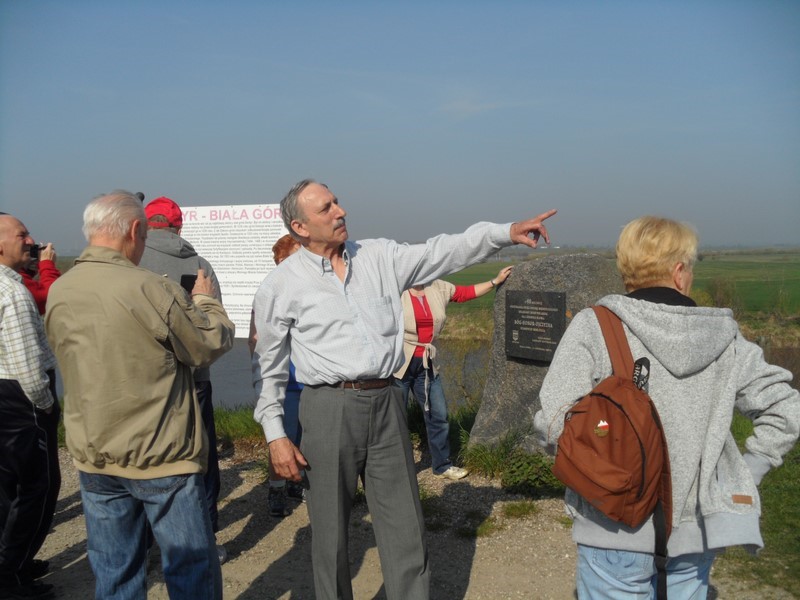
[{"x": 168, "y": 254}]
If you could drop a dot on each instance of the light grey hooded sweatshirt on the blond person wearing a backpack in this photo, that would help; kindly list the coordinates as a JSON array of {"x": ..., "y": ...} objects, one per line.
[{"x": 701, "y": 369}]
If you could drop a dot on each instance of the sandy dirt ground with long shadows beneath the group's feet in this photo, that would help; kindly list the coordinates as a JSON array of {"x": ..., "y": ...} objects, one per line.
[{"x": 529, "y": 557}]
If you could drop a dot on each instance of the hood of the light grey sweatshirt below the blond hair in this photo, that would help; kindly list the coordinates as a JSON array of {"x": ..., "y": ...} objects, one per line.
[{"x": 683, "y": 339}]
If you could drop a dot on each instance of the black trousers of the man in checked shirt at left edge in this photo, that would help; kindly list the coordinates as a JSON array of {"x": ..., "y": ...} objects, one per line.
[{"x": 24, "y": 480}]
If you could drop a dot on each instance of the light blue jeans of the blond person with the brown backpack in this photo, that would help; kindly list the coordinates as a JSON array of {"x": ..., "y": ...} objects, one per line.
[{"x": 620, "y": 574}]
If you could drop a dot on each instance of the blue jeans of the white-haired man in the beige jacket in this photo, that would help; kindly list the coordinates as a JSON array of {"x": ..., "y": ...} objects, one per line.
[{"x": 116, "y": 509}]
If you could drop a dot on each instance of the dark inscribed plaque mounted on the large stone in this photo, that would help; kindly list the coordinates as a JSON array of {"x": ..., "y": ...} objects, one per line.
[{"x": 535, "y": 322}]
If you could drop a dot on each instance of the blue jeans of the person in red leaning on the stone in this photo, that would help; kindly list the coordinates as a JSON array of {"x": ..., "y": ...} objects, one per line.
[{"x": 436, "y": 423}]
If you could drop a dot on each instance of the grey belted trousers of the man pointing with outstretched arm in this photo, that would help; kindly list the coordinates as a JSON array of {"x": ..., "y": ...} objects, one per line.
[{"x": 347, "y": 433}]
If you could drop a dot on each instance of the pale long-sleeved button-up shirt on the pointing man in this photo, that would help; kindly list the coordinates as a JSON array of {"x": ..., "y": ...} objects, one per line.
[{"x": 345, "y": 331}]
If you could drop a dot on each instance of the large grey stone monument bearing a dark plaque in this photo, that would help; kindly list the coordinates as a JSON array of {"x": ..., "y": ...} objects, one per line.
[{"x": 531, "y": 311}]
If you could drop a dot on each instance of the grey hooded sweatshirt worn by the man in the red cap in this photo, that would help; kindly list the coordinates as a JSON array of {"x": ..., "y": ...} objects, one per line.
[{"x": 168, "y": 254}]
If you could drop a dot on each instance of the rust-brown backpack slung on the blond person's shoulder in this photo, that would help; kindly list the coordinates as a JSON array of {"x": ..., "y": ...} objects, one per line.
[{"x": 613, "y": 452}]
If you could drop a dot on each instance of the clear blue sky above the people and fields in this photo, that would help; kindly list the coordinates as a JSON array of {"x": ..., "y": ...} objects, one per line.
[{"x": 423, "y": 117}]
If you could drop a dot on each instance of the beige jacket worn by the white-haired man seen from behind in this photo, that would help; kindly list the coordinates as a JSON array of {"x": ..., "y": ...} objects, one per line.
[{"x": 126, "y": 341}]
